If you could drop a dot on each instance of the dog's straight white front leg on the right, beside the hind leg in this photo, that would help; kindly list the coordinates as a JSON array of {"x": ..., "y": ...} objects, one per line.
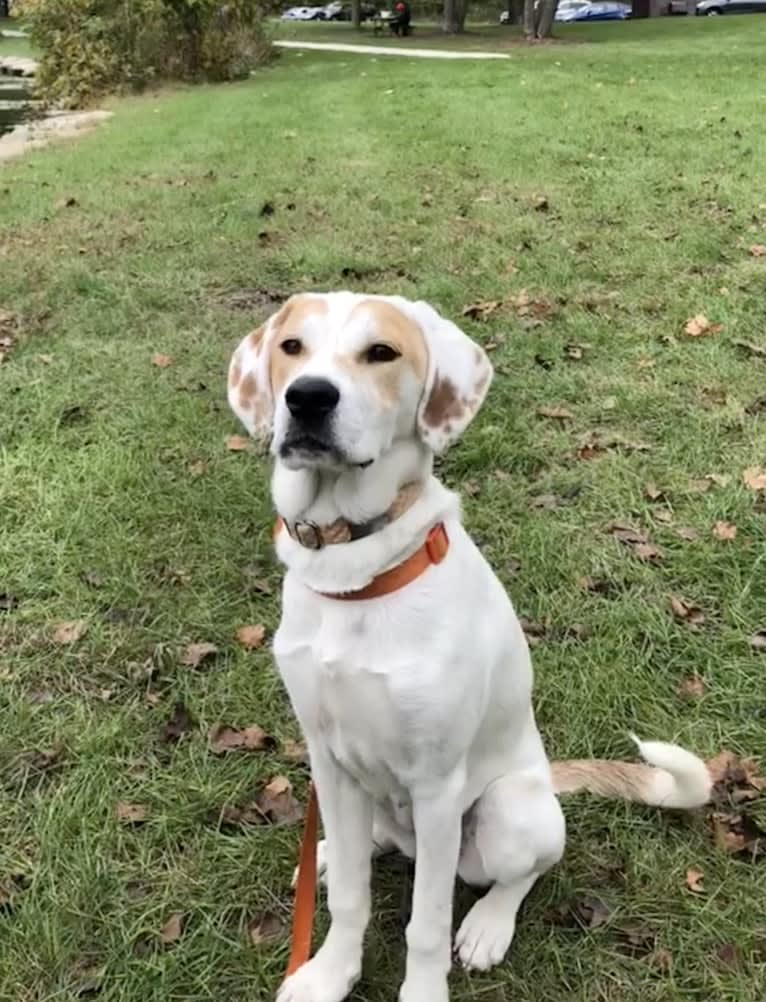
[{"x": 437, "y": 815}]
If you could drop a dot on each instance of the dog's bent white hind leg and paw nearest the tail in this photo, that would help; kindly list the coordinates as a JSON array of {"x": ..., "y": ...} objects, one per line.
[{"x": 517, "y": 832}]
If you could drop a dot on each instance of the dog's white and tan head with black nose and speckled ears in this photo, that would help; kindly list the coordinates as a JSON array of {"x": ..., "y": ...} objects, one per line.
[{"x": 334, "y": 380}]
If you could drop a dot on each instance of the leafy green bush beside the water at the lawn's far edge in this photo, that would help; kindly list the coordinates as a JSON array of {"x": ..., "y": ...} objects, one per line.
[{"x": 93, "y": 47}]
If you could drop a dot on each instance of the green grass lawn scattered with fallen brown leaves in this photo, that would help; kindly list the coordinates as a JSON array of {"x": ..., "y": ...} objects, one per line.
[{"x": 621, "y": 187}]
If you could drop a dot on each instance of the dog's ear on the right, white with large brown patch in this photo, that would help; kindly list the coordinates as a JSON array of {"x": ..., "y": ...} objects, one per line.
[{"x": 459, "y": 377}]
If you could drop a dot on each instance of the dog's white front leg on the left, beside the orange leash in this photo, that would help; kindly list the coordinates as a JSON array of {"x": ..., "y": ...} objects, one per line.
[{"x": 347, "y": 814}]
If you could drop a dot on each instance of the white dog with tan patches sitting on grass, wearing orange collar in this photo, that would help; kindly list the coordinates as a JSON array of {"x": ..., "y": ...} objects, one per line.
[{"x": 404, "y": 658}]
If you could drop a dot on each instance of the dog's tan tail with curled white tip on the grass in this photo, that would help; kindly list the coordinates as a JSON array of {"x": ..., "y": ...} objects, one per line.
[{"x": 674, "y": 777}]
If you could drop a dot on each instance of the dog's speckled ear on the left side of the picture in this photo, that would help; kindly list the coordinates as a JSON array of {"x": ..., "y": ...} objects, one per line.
[{"x": 250, "y": 385}]
